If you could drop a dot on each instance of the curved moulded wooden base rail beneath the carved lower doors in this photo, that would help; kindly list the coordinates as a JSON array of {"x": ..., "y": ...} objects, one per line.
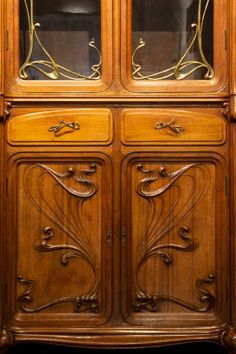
[{"x": 118, "y": 339}]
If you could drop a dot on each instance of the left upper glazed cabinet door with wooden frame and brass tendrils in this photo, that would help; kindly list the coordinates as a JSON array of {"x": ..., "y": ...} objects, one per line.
[{"x": 58, "y": 46}]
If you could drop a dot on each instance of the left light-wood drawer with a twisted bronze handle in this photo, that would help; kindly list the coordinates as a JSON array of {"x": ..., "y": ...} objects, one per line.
[{"x": 70, "y": 126}]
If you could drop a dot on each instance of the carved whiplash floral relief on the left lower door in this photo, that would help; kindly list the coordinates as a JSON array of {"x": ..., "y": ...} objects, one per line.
[{"x": 71, "y": 225}]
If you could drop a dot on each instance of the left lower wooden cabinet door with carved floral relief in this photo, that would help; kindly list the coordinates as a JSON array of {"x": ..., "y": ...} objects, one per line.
[{"x": 59, "y": 239}]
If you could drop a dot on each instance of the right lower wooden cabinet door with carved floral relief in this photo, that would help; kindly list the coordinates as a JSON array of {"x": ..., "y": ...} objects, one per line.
[{"x": 175, "y": 240}]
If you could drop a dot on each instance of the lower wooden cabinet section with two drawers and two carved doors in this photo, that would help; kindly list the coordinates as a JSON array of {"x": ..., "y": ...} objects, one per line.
[{"x": 115, "y": 244}]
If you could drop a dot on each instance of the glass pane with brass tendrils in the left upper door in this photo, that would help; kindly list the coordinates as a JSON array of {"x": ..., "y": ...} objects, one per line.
[{"x": 60, "y": 39}]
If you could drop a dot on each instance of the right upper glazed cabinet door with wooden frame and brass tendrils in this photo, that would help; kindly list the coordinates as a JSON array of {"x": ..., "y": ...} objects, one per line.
[{"x": 174, "y": 46}]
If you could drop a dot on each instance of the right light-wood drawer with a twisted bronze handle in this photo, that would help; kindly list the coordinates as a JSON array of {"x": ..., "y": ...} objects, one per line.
[{"x": 166, "y": 126}]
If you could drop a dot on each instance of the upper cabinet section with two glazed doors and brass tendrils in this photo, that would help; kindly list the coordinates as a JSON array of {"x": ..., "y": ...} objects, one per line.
[{"x": 64, "y": 48}]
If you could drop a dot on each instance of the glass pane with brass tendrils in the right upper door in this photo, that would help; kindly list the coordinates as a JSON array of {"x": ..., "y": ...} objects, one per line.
[{"x": 172, "y": 39}]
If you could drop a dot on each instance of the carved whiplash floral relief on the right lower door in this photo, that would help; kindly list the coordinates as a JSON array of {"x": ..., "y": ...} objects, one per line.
[{"x": 158, "y": 227}]
